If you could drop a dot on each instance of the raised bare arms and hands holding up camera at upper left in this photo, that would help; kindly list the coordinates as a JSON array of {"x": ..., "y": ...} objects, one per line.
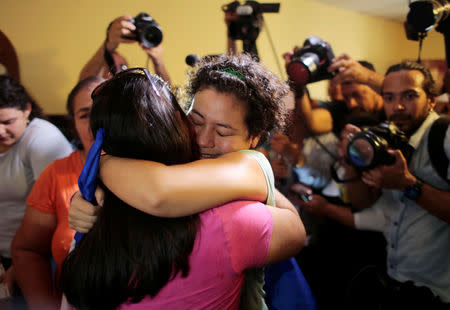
[{"x": 121, "y": 30}]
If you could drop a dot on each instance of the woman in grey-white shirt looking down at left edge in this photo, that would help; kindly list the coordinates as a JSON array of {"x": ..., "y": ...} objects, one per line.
[{"x": 27, "y": 145}]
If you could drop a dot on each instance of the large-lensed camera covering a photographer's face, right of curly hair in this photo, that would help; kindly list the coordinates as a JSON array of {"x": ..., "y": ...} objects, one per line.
[{"x": 310, "y": 63}]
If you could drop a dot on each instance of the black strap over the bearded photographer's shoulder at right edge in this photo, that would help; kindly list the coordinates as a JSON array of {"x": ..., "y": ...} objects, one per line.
[{"x": 436, "y": 138}]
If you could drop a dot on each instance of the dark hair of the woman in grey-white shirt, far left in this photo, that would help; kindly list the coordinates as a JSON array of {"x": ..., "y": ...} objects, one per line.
[{"x": 14, "y": 95}]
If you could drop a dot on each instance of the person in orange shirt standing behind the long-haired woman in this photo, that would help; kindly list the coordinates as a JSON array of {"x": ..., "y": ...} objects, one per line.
[{"x": 44, "y": 233}]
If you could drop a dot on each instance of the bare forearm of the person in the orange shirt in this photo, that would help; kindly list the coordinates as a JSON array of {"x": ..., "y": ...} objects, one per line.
[{"x": 33, "y": 273}]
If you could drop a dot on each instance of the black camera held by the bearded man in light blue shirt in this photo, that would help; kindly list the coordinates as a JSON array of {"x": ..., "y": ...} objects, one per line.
[{"x": 368, "y": 148}]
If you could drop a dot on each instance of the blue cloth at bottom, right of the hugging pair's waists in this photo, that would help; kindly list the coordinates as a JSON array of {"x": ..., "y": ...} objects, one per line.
[{"x": 286, "y": 287}]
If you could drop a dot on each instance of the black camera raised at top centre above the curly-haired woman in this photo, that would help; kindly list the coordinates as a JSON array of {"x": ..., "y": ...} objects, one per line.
[{"x": 248, "y": 23}]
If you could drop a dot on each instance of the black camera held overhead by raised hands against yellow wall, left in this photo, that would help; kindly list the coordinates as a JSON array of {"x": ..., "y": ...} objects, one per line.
[{"x": 147, "y": 30}]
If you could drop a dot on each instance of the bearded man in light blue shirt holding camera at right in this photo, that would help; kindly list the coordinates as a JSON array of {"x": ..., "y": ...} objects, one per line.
[{"x": 409, "y": 201}]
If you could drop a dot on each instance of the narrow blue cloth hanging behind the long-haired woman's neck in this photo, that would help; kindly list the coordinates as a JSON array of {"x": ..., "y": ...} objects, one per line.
[{"x": 87, "y": 182}]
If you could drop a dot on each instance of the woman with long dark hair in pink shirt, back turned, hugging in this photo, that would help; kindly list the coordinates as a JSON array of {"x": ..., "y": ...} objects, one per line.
[{"x": 135, "y": 260}]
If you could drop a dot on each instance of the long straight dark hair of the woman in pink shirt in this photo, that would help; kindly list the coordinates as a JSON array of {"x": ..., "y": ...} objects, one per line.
[{"x": 129, "y": 254}]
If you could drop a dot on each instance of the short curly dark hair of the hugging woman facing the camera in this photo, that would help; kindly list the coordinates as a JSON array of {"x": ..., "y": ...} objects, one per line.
[{"x": 253, "y": 83}]
